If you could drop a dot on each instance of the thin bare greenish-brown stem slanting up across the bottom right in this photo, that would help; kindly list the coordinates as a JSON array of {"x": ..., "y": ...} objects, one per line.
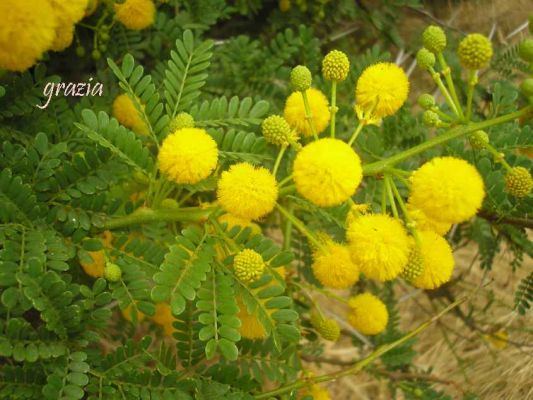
[{"x": 360, "y": 365}]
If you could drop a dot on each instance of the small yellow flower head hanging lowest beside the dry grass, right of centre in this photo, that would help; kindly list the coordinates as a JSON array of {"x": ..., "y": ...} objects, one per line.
[{"x": 368, "y": 314}]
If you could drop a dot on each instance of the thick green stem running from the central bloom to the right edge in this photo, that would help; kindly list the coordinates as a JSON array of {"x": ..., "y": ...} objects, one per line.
[{"x": 378, "y": 167}]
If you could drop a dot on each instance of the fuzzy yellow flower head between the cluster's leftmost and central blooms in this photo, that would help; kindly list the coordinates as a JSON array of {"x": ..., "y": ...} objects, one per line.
[{"x": 246, "y": 191}]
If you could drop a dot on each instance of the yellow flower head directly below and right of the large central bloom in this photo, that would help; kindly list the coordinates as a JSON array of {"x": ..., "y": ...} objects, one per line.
[{"x": 379, "y": 246}]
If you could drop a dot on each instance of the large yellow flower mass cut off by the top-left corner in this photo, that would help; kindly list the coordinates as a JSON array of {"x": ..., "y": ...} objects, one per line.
[{"x": 26, "y": 32}]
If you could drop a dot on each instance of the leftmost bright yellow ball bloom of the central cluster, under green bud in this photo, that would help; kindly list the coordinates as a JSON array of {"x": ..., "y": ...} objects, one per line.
[{"x": 188, "y": 155}]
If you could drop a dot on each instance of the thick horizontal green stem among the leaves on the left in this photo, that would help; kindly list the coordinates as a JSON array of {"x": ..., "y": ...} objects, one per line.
[{"x": 147, "y": 215}]
